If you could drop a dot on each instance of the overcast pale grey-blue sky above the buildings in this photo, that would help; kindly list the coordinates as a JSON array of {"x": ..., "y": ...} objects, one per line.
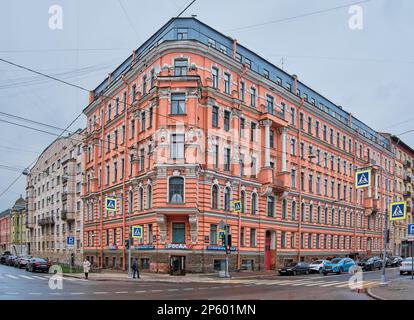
[{"x": 368, "y": 72}]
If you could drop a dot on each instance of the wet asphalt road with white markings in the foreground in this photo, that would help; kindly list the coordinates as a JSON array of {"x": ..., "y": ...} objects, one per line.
[{"x": 18, "y": 284}]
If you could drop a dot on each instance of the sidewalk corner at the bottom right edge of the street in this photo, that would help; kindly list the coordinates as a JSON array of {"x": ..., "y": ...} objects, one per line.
[{"x": 395, "y": 290}]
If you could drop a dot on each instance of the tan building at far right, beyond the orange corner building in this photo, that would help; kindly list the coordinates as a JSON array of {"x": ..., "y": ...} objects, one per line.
[{"x": 404, "y": 160}]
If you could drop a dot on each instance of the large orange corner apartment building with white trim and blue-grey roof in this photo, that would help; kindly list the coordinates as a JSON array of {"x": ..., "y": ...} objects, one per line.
[{"x": 192, "y": 121}]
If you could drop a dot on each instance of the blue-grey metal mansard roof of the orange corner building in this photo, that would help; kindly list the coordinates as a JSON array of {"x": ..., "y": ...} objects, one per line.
[{"x": 198, "y": 31}]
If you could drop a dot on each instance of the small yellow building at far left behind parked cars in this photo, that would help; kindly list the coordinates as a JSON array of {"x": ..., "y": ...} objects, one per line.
[{"x": 18, "y": 227}]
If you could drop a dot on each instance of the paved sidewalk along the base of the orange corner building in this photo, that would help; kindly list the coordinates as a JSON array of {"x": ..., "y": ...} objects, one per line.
[{"x": 147, "y": 277}]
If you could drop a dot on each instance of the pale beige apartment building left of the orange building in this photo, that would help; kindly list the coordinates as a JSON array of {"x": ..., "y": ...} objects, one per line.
[{"x": 55, "y": 209}]
